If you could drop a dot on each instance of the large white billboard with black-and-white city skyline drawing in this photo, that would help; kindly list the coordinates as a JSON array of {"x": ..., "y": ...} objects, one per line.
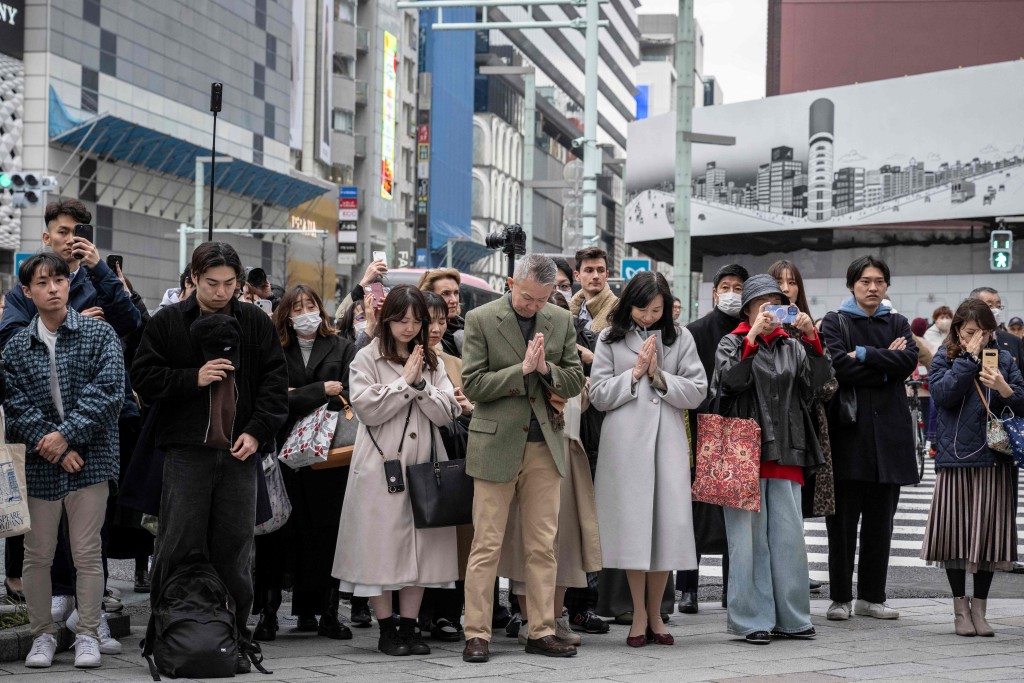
[{"x": 936, "y": 147}]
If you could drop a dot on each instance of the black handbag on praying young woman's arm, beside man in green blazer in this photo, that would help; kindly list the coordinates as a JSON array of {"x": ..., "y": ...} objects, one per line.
[{"x": 442, "y": 493}]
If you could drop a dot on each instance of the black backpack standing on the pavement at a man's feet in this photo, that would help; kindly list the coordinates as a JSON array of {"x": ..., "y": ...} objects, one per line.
[{"x": 192, "y": 632}]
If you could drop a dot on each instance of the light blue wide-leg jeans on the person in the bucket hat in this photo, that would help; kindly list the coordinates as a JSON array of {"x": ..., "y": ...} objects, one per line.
[{"x": 769, "y": 564}]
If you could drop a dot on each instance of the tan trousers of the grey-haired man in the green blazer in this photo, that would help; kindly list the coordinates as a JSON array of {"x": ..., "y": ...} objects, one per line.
[{"x": 537, "y": 487}]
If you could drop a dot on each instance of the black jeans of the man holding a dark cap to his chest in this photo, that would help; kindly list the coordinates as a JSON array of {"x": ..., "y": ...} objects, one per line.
[{"x": 208, "y": 508}]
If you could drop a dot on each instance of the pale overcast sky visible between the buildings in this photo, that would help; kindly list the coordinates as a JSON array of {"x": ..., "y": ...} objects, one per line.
[{"x": 736, "y": 42}]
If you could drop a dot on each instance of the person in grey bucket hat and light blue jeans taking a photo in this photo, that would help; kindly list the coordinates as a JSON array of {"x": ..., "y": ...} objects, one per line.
[{"x": 765, "y": 374}]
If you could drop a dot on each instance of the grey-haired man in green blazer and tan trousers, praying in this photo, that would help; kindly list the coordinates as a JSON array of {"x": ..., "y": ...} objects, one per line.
[{"x": 520, "y": 367}]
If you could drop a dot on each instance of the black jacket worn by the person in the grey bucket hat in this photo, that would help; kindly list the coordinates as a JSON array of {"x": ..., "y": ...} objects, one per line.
[{"x": 776, "y": 386}]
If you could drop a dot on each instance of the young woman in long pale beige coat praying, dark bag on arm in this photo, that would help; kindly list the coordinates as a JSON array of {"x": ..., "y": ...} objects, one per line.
[{"x": 400, "y": 392}]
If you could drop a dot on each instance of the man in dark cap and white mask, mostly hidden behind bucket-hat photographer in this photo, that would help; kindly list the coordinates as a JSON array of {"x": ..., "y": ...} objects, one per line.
[{"x": 708, "y": 331}]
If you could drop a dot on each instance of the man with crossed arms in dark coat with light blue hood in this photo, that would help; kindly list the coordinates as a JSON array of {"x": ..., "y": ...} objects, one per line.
[{"x": 873, "y": 354}]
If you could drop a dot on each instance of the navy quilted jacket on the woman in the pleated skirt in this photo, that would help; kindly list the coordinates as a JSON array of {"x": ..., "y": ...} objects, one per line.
[{"x": 961, "y": 417}]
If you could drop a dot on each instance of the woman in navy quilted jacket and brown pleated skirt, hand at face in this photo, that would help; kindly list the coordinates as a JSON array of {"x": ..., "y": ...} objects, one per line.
[{"x": 972, "y": 527}]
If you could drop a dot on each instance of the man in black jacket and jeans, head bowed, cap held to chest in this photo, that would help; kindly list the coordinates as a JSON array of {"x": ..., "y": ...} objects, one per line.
[{"x": 217, "y": 367}]
